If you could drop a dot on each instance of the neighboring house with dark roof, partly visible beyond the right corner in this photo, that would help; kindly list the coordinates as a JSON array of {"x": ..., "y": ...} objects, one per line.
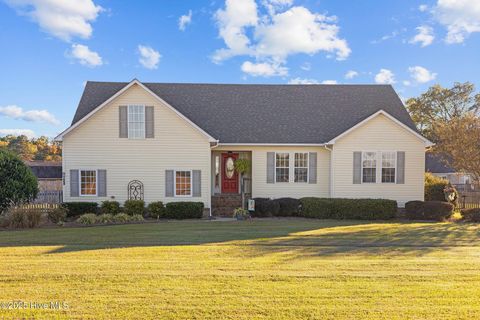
[{"x": 436, "y": 165}]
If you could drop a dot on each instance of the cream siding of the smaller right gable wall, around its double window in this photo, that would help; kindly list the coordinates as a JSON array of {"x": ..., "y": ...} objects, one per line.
[{"x": 379, "y": 134}]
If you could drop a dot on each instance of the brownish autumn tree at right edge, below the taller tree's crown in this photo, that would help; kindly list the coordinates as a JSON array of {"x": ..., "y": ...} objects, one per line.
[{"x": 460, "y": 139}]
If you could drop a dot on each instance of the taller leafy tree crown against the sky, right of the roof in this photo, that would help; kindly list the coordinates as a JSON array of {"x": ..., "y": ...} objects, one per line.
[{"x": 440, "y": 105}]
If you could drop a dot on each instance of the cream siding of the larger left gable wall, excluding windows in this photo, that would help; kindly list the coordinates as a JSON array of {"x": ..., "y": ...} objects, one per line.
[{"x": 176, "y": 144}]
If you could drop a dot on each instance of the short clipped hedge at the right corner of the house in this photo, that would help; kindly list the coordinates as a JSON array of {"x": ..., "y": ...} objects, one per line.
[{"x": 429, "y": 210}]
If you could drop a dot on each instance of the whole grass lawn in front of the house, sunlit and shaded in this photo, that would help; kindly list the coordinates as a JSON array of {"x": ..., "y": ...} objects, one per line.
[{"x": 265, "y": 269}]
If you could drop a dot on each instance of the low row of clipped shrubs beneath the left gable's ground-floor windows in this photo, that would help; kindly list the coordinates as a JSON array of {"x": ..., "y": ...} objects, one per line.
[{"x": 173, "y": 210}]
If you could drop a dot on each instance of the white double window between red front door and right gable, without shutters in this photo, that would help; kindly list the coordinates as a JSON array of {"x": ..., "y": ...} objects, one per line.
[{"x": 300, "y": 167}]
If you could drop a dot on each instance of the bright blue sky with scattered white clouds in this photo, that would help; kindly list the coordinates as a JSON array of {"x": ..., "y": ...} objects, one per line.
[{"x": 51, "y": 47}]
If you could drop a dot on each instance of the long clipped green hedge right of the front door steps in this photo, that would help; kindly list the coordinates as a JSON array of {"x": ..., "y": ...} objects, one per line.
[{"x": 323, "y": 208}]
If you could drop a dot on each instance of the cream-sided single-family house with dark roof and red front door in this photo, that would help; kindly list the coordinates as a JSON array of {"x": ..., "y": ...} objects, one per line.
[{"x": 179, "y": 142}]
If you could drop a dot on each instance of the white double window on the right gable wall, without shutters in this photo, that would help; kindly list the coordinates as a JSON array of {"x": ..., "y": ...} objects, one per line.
[{"x": 388, "y": 165}]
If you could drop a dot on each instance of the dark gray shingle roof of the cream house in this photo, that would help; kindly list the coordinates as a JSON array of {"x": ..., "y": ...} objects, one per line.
[{"x": 265, "y": 113}]
